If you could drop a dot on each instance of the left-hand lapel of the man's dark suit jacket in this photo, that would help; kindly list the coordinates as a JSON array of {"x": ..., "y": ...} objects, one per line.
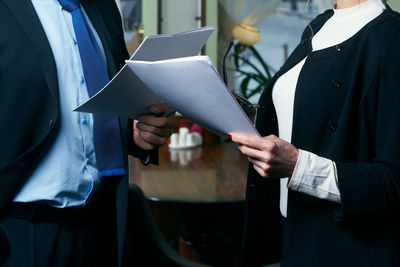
[{"x": 30, "y": 23}]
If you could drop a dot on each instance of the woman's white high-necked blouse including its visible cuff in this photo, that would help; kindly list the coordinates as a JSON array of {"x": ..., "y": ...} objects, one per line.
[{"x": 314, "y": 175}]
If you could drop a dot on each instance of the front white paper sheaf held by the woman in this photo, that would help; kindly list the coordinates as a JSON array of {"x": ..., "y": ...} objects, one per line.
[{"x": 193, "y": 87}]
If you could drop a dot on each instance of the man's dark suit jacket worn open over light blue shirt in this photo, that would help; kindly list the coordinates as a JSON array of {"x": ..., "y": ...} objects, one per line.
[{"x": 29, "y": 98}]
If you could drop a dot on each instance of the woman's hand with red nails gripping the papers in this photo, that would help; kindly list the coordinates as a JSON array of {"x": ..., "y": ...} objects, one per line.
[{"x": 270, "y": 155}]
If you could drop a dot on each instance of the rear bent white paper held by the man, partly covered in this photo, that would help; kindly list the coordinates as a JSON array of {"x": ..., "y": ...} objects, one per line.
[{"x": 126, "y": 95}]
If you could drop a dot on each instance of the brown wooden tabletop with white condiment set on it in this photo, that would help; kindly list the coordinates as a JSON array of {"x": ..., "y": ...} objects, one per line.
[{"x": 216, "y": 173}]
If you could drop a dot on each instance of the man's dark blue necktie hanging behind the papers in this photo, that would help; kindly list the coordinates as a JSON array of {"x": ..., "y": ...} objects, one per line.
[{"x": 106, "y": 132}]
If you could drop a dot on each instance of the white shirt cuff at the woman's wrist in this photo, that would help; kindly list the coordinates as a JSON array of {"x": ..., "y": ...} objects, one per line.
[{"x": 315, "y": 176}]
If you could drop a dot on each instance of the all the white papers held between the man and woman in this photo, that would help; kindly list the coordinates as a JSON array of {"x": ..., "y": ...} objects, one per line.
[{"x": 166, "y": 69}]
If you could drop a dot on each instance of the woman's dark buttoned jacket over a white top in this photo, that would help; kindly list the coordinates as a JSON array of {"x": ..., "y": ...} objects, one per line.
[{"x": 346, "y": 109}]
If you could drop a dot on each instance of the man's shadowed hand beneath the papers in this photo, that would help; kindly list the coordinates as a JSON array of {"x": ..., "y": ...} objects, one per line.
[{"x": 153, "y": 130}]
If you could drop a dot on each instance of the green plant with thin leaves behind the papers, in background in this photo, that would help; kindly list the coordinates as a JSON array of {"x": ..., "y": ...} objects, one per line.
[{"x": 257, "y": 77}]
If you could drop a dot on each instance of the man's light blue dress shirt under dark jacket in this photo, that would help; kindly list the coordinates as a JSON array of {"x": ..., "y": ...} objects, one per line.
[{"x": 68, "y": 173}]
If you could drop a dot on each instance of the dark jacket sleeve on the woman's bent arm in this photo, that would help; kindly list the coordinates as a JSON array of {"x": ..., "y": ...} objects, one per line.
[{"x": 372, "y": 190}]
